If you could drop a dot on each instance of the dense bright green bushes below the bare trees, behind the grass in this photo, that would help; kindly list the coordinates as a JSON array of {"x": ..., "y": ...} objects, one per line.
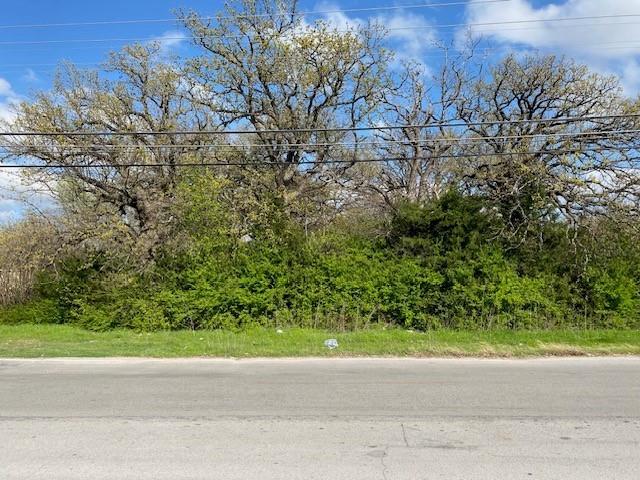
[{"x": 439, "y": 267}]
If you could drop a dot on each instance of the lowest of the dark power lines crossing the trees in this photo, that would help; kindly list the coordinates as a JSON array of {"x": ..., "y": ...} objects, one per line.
[{"x": 300, "y": 163}]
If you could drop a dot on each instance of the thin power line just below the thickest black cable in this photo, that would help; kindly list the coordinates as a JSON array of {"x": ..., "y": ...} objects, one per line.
[{"x": 596, "y": 134}]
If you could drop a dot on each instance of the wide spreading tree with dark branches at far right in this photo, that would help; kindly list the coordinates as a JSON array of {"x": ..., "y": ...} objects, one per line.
[{"x": 533, "y": 163}]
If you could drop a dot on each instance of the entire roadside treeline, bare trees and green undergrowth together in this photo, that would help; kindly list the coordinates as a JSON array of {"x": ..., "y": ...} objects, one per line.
[{"x": 244, "y": 185}]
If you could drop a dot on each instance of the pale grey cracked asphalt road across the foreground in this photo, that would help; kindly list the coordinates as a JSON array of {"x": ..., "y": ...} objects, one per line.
[{"x": 320, "y": 419}]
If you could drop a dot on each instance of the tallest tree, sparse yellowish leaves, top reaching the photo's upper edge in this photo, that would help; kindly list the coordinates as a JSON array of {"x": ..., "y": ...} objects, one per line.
[{"x": 264, "y": 69}]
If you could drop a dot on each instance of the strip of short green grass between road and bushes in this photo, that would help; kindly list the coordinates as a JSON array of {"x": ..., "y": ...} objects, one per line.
[{"x": 29, "y": 341}]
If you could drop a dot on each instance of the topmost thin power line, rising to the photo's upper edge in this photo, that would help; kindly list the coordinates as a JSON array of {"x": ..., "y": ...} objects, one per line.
[{"x": 283, "y": 14}]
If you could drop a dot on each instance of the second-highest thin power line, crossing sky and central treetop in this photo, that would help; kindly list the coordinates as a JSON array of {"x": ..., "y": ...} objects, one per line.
[{"x": 390, "y": 29}]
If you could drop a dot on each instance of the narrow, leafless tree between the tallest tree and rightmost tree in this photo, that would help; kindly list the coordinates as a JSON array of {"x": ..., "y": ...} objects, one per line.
[{"x": 418, "y": 169}]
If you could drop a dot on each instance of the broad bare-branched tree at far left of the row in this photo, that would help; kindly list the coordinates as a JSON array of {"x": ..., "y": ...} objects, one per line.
[{"x": 103, "y": 196}]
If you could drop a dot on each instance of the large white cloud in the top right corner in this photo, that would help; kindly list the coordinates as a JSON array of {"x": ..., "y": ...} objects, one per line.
[{"x": 608, "y": 44}]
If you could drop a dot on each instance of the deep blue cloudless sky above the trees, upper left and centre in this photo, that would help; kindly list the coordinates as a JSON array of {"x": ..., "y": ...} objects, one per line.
[{"x": 34, "y": 75}]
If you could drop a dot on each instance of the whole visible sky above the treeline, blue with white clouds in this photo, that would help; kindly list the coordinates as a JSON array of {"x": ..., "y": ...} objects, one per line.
[{"x": 609, "y": 45}]
